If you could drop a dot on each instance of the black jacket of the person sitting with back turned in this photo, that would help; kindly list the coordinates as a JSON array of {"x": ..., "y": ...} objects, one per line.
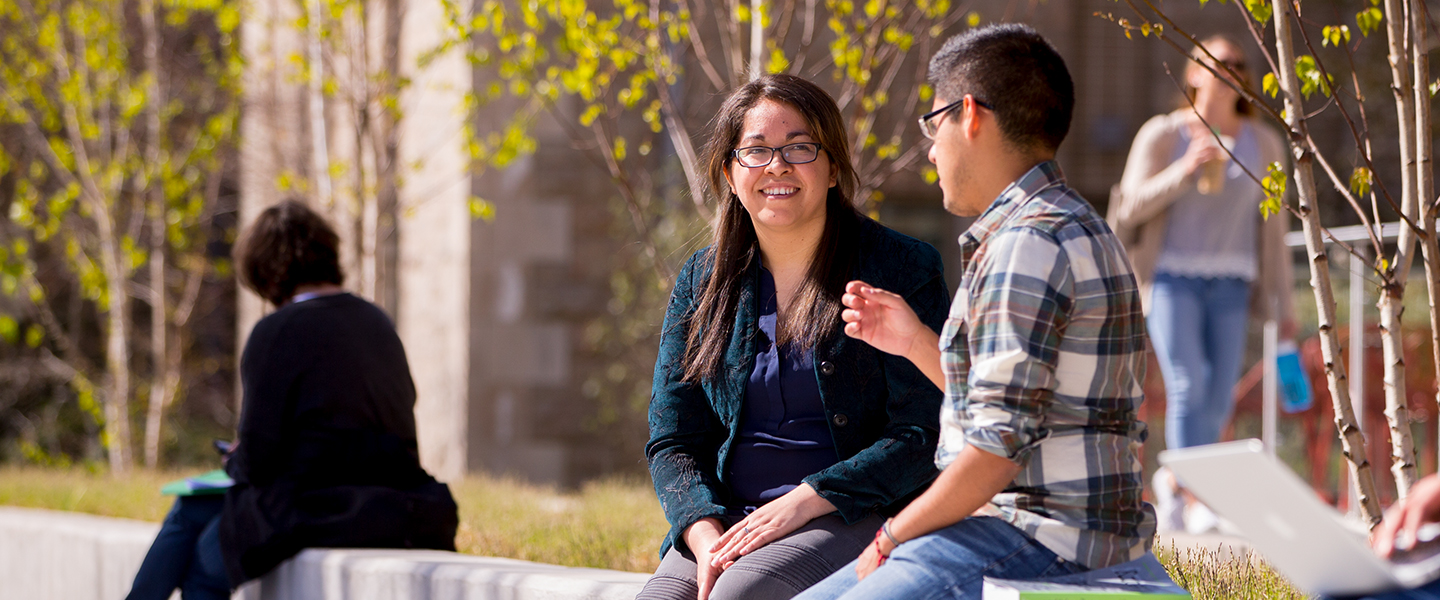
[{"x": 328, "y": 453}]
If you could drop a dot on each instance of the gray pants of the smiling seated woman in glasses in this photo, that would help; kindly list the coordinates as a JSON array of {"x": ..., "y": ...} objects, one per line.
[{"x": 777, "y": 572}]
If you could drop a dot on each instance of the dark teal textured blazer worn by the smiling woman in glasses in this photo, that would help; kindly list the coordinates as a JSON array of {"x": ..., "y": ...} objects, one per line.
[{"x": 883, "y": 412}]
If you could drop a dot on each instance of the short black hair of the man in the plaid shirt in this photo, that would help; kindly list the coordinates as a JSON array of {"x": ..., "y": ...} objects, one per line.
[{"x": 1014, "y": 70}]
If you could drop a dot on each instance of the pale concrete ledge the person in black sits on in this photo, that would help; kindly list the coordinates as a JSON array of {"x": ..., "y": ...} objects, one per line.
[{"x": 64, "y": 556}]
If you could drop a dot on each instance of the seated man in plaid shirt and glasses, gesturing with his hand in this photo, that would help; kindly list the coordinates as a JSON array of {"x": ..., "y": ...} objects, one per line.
[{"x": 1042, "y": 358}]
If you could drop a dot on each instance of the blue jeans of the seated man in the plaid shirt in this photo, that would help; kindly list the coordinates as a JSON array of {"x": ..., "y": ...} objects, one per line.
[{"x": 951, "y": 563}]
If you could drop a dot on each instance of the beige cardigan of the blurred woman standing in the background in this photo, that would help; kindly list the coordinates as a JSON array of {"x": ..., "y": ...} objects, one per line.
[{"x": 1140, "y": 209}]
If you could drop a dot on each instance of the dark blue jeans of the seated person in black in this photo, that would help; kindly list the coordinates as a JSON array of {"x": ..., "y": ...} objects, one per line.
[{"x": 186, "y": 555}]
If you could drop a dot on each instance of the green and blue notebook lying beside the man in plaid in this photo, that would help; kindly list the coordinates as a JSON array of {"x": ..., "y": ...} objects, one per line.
[{"x": 1143, "y": 579}]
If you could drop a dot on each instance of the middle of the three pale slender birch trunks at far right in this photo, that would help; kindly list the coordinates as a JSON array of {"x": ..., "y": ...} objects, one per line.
[{"x": 1392, "y": 297}]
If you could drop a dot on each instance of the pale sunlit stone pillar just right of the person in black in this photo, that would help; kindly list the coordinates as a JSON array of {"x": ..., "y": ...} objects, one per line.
[{"x": 433, "y": 313}]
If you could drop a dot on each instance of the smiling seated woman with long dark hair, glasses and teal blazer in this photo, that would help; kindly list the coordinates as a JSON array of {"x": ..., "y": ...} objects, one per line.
[{"x": 775, "y": 440}]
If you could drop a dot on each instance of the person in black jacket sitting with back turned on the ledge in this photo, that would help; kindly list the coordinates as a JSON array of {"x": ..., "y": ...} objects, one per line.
[{"x": 328, "y": 453}]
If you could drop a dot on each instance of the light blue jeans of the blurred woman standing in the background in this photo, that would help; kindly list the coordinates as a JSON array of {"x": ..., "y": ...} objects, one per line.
[{"x": 1199, "y": 330}]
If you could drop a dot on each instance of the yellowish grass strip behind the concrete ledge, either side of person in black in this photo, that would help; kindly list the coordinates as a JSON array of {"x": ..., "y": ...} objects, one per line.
[{"x": 607, "y": 524}]
